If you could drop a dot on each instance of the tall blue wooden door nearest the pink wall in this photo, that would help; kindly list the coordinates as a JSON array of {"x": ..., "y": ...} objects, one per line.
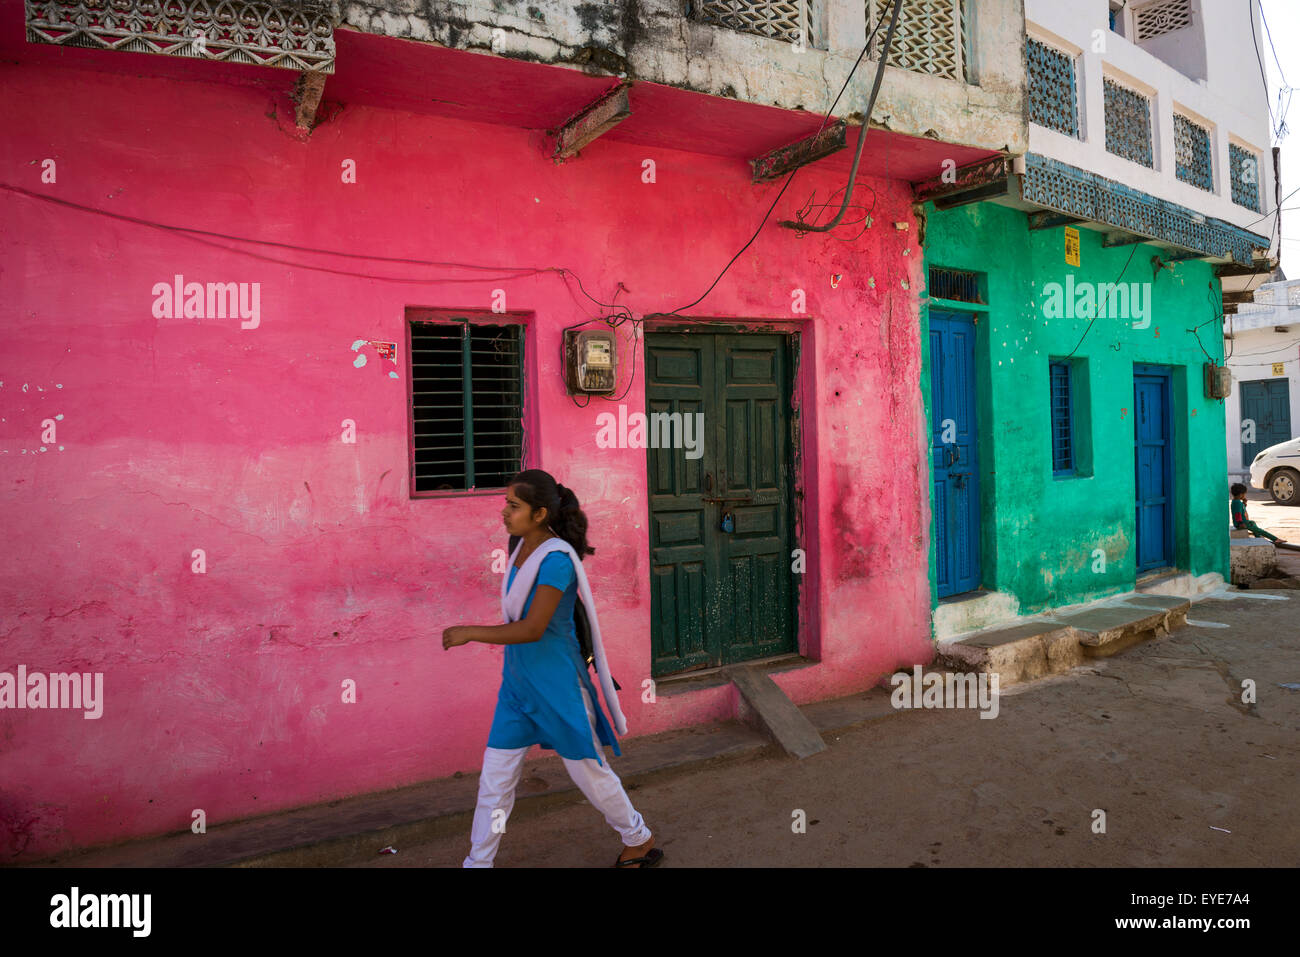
[{"x": 954, "y": 452}]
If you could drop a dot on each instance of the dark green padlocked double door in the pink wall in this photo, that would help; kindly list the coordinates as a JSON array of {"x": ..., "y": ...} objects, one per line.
[{"x": 721, "y": 596}]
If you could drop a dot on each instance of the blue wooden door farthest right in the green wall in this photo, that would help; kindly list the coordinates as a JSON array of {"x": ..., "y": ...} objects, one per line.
[{"x": 1154, "y": 460}]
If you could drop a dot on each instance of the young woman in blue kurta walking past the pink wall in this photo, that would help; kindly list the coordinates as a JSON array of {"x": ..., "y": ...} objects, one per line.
[{"x": 547, "y": 694}]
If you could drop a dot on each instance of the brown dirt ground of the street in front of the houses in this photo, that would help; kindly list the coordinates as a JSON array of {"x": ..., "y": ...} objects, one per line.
[{"x": 1159, "y": 738}]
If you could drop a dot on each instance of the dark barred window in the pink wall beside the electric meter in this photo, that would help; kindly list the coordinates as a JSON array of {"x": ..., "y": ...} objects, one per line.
[{"x": 467, "y": 387}]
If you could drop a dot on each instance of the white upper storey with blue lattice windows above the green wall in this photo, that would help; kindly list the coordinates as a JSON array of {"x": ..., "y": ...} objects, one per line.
[{"x": 1165, "y": 101}]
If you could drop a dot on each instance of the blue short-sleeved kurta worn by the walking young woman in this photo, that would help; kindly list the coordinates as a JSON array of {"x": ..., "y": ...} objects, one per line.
[{"x": 540, "y": 700}]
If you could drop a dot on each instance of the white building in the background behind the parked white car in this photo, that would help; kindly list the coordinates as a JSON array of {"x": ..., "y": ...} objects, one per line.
[{"x": 1263, "y": 349}]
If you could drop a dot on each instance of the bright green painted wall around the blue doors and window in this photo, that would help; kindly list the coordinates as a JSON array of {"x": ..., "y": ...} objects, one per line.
[{"x": 1041, "y": 534}]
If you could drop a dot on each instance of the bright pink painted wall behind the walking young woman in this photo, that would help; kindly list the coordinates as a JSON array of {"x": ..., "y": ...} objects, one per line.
[{"x": 223, "y": 691}]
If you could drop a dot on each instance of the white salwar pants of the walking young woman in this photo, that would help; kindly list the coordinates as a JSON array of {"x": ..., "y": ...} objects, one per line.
[{"x": 501, "y": 774}]
